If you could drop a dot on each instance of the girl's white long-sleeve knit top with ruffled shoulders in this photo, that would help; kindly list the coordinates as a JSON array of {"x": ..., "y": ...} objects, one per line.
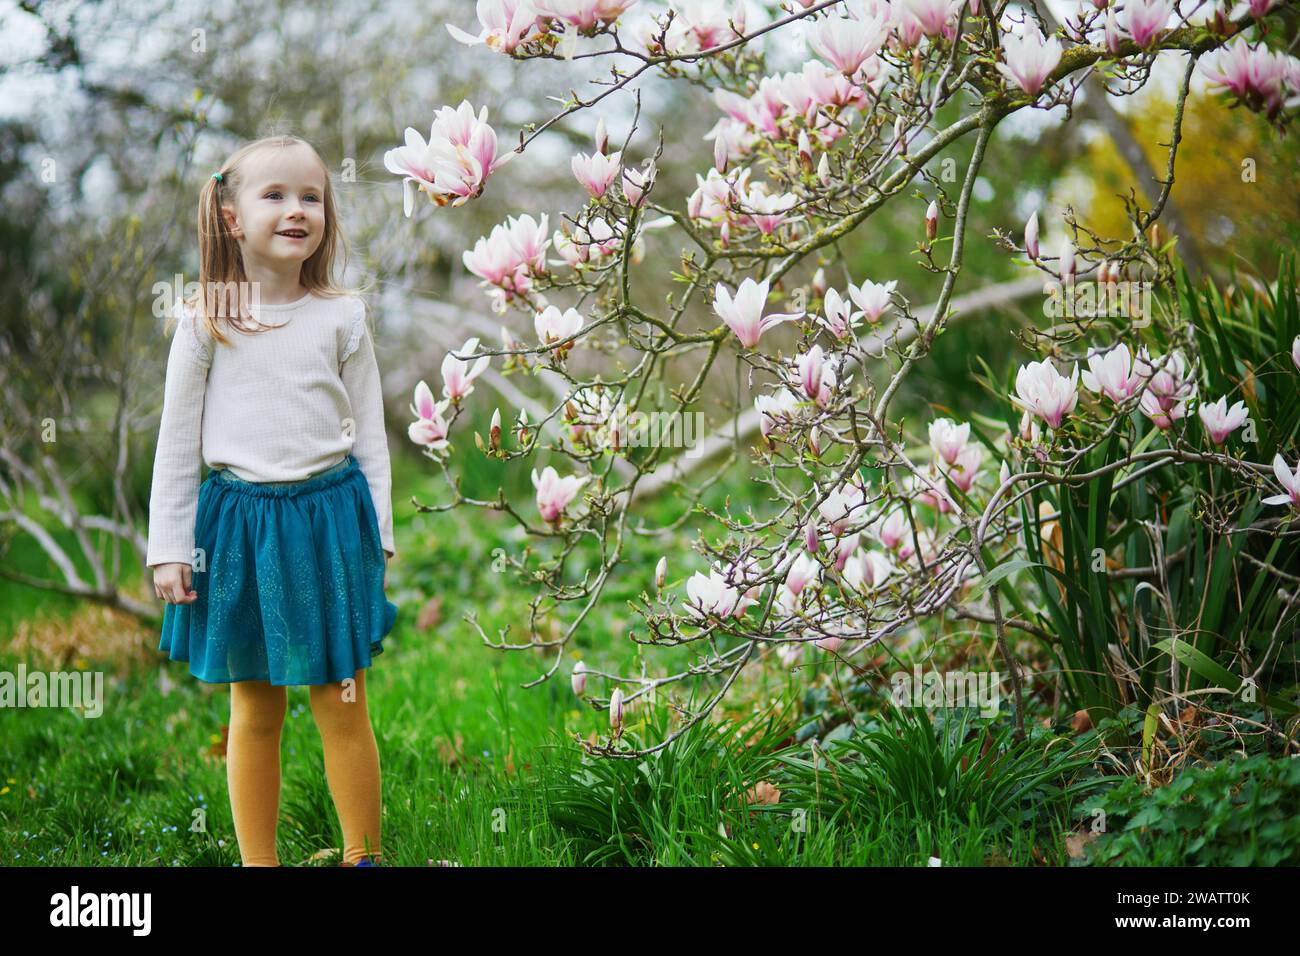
[{"x": 272, "y": 406}]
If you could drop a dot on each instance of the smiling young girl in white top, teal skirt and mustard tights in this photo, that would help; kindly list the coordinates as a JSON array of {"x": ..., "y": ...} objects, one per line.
[{"x": 272, "y": 382}]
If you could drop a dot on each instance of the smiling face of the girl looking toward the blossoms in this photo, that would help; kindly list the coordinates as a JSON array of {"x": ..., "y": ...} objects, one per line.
[{"x": 280, "y": 213}]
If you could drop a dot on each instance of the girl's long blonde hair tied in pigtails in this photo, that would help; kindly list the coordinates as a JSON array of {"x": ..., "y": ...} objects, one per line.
[{"x": 220, "y": 262}]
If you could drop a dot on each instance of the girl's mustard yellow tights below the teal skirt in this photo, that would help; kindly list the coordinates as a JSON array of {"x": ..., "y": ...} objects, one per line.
[{"x": 352, "y": 767}]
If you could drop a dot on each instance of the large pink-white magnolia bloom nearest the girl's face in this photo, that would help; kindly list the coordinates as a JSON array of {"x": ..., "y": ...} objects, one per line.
[{"x": 456, "y": 162}]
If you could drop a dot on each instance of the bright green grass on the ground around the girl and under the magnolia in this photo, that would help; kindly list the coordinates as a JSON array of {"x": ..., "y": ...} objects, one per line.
[{"x": 482, "y": 772}]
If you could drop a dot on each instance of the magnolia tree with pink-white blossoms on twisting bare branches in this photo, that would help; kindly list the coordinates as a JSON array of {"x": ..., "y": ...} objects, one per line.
[{"x": 877, "y": 527}]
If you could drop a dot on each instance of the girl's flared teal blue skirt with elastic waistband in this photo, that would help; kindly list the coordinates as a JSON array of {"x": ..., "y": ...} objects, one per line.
[{"x": 291, "y": 582}]
